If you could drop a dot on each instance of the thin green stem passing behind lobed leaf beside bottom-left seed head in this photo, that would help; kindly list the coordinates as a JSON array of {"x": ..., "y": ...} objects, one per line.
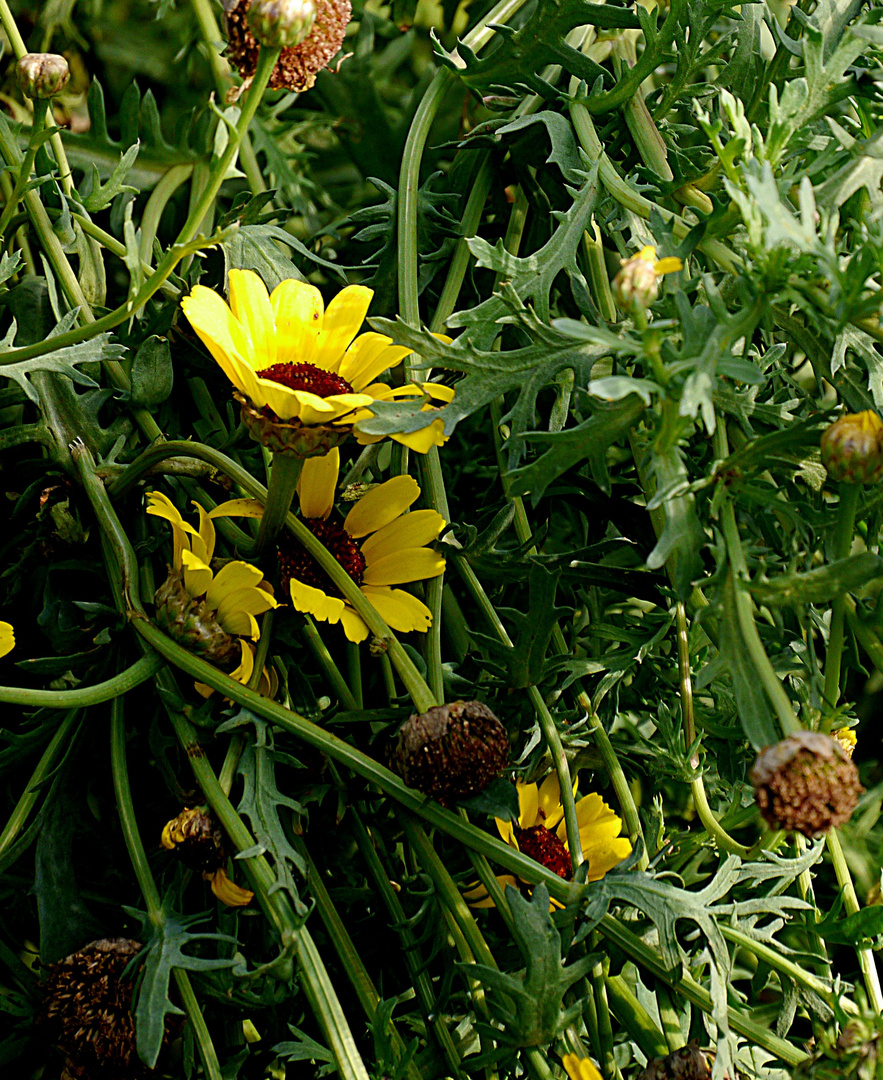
[{"x": 138, "y": 855}]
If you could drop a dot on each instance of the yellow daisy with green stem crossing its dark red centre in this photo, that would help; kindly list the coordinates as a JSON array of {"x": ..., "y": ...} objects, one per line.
[{"x": 393, "y": 552}]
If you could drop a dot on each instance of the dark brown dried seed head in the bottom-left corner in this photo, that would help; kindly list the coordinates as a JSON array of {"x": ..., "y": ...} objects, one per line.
[{"x": 87, "y": 1011}]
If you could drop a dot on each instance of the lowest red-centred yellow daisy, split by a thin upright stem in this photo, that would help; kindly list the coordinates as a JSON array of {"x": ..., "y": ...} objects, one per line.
[{"x": 541, "y": 834}]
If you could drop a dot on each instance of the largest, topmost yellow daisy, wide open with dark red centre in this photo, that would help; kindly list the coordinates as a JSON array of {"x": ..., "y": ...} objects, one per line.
[{"x": 297, "y": 364}]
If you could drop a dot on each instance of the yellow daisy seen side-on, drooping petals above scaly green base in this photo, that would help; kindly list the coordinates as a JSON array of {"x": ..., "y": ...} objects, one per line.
[{"x": 206, "y": 612}]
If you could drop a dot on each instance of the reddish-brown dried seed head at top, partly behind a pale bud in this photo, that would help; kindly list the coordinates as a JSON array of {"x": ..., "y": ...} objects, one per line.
[{"x": 298, "y": 65}]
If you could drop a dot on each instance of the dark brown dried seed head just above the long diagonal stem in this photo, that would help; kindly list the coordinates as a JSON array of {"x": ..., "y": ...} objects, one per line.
[{"x": 452, "y": 752}]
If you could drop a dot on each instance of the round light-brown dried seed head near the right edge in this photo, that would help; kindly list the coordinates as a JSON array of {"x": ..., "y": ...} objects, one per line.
[{"x": 806, "y": 784}]
